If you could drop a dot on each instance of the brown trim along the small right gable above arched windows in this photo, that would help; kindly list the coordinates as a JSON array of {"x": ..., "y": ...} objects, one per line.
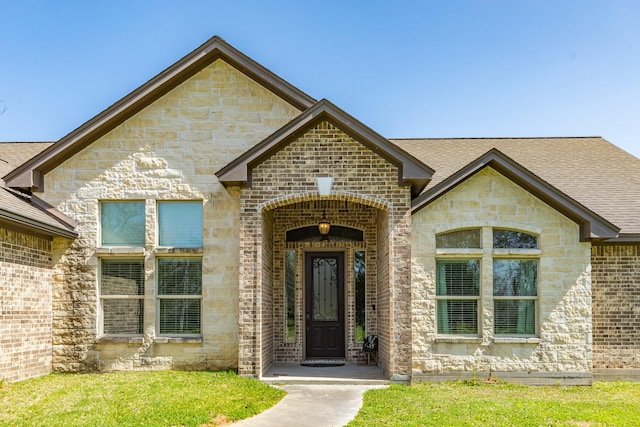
[{"x": 592, "y": 225}]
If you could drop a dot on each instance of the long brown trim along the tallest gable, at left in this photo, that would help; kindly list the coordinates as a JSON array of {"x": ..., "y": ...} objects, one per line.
[{"x": 28, "y": 174}]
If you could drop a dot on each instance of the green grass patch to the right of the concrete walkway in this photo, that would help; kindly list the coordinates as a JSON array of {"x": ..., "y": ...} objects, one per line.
[{"x": 474, "y": 403}]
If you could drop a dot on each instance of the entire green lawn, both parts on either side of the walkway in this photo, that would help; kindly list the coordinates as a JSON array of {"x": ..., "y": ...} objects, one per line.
[{"x": 171, "y": 398}]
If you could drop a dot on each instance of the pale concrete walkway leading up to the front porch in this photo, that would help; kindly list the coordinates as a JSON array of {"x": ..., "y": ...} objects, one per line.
[{"x": 312, "y": 405}]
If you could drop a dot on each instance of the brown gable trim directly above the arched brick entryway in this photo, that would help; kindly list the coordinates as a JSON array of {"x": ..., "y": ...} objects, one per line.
[{"x": 410, "y": 169}]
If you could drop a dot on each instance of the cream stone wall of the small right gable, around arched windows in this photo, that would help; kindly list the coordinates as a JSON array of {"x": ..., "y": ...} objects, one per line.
[{"x": 564, "y": 287}]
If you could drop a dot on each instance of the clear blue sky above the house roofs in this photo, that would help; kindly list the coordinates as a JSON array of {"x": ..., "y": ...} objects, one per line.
[{"x": 406, "y": 69}]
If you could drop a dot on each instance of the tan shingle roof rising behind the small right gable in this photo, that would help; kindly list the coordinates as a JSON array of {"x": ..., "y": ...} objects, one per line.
[{"x": 590, "y": 170}]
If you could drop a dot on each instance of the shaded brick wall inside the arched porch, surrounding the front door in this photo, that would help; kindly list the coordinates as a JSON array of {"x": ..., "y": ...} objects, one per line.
[{"x": 303, "y": 214}]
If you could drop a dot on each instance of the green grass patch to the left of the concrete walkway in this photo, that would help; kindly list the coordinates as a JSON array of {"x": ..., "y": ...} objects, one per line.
[{"x": 167, "y": 398}]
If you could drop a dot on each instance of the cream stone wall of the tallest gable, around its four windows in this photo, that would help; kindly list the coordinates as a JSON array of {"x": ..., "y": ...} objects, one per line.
[{"x": 168, "y": 151}]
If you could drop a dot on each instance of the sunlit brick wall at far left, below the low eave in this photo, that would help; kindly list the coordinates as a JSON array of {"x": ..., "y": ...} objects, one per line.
[{"x": 25, "y": 305}]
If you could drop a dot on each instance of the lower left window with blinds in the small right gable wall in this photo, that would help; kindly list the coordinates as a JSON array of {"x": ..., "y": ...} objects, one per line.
[{"x": 457, "y": 294}]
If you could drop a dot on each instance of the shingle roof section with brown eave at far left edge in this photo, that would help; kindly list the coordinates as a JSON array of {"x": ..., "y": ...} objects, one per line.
[{"x": 22, "y": 209}]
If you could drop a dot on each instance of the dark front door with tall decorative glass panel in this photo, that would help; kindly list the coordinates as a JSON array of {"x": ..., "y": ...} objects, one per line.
[{"x": 324, "y": 308}]
